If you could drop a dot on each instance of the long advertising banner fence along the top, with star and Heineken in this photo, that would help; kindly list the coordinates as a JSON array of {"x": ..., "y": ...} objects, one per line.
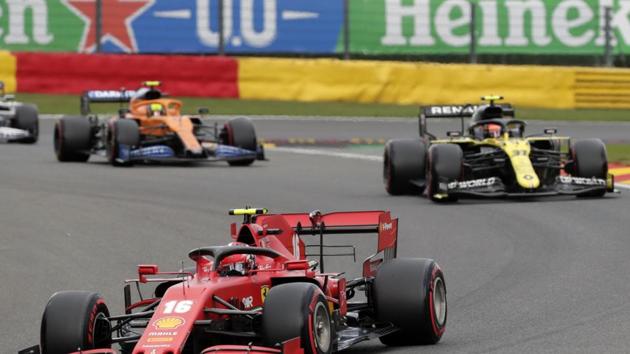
[{"x": 597, "y": 31}]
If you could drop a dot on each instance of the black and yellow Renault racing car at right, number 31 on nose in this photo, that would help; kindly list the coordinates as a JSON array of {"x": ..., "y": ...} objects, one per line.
[{"x": 490, "y": 156}]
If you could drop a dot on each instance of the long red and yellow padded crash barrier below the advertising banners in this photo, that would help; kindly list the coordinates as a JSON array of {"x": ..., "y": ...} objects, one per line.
[{"x": 312, "y": 80}]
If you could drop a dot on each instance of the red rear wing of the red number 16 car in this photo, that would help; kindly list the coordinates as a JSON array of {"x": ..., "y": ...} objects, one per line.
[{"x": 351, "y": 222}]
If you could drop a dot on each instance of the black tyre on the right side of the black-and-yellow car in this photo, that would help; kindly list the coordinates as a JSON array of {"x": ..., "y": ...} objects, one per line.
[{"x": 590, "y": 160}]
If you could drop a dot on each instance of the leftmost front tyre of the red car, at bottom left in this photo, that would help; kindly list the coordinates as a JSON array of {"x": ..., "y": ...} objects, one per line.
[{"x": 75, "y": 320}]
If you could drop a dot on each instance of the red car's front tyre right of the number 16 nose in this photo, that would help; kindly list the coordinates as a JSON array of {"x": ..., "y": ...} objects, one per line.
[{"x": 298, "y": 310}]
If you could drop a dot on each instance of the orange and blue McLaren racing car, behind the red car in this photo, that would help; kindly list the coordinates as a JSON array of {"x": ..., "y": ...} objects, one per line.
[{"x": 152, "y": 128}]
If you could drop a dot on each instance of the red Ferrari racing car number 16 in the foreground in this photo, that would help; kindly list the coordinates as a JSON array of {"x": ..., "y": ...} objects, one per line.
[{"x": 263, "y": 294}]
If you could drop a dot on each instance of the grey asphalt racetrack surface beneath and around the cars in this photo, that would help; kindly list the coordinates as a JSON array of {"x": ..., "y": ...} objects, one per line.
[{"x": 535, "y": 276}]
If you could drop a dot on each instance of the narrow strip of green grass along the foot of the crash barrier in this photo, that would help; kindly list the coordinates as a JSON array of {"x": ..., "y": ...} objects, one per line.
[{"x": 69, "y": 104}]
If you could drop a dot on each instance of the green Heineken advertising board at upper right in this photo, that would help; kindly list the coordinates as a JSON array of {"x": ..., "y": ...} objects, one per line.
[{"x": 502, "y": 26}]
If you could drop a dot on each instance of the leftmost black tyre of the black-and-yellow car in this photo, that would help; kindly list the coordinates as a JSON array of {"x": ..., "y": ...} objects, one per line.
[{"x": 403, "y": 161}]
